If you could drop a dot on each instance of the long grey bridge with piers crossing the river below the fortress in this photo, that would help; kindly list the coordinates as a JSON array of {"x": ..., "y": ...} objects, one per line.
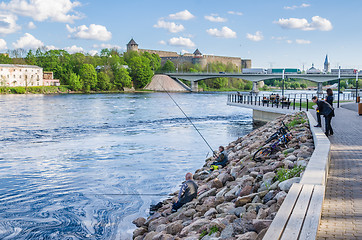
[{"x": 319, "y": 78}]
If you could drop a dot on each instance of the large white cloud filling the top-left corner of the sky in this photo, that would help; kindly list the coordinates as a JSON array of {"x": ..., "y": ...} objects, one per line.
[{"x": 41, "y": 10}]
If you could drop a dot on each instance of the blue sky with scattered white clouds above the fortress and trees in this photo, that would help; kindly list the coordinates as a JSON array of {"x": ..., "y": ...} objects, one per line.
[{"x": 275, "y": 34}]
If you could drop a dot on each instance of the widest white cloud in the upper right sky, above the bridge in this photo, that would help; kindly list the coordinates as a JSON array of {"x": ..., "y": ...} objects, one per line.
[{"x": 317, "y": 23}]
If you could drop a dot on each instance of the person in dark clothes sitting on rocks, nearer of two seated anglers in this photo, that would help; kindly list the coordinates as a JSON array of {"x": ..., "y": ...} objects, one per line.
[{"x": 187, "y": 193}]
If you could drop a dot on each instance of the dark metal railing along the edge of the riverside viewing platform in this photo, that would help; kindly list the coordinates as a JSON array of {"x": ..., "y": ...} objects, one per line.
[{"x": 284, "y": 103}]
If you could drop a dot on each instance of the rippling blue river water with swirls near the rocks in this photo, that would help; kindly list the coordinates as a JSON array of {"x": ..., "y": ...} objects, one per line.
[{"x": 83, "y": 166}]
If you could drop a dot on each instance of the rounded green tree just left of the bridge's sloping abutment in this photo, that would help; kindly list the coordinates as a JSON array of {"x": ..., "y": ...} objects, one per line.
[{"x": 140, "y": 71}]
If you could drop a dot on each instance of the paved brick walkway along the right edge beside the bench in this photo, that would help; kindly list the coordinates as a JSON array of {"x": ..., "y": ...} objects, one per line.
[{"x": 342, "y": 207}]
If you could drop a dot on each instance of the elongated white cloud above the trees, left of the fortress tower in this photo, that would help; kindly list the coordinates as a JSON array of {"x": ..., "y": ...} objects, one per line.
[{"x": 93, "y": 32}]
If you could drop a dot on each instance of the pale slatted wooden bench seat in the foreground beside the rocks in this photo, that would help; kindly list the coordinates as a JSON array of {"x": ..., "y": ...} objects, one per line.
[{"x": 299, "y": 215}]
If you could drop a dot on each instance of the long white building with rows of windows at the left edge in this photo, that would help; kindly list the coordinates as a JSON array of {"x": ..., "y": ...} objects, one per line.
[{"x": 13, "y": 75}]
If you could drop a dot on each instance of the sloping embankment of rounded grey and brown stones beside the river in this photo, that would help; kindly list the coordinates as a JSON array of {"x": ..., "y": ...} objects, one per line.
[{"x": 241, "y": 200}]
